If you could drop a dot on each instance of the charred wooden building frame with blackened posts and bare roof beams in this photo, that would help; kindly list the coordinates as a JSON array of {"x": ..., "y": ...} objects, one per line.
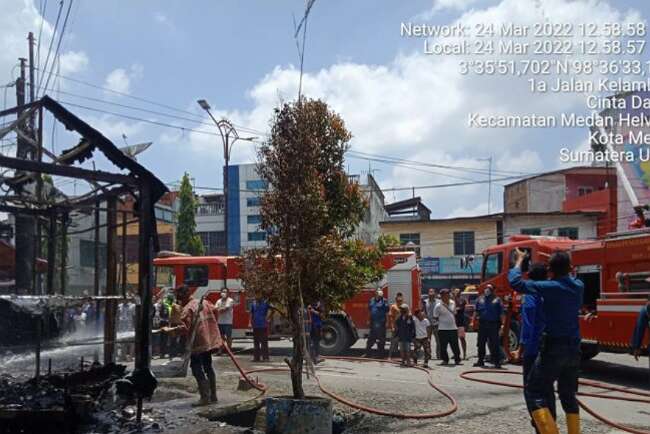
[{"x": 41, "y": 214}]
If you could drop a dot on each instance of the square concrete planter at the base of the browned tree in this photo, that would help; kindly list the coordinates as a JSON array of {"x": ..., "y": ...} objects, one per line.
[{"x": 312, "y": 415}]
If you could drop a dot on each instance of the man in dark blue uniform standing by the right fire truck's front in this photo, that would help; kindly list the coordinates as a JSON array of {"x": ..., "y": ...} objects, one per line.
[{"x": 489, "y": 311}]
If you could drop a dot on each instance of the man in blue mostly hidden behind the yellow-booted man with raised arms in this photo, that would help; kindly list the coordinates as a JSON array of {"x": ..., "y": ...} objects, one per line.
[{"x": 532, "y": 327}]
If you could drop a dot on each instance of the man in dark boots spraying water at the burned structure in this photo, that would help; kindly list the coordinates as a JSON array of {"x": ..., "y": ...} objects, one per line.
[{"x": 198, "y": 321}]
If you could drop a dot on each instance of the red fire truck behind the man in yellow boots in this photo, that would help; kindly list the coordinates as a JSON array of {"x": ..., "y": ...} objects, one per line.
[{"x": 615, "y": 271}]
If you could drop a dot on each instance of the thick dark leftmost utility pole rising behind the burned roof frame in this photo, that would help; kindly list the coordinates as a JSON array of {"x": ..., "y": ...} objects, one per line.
[{"x": 25, "y": 224}]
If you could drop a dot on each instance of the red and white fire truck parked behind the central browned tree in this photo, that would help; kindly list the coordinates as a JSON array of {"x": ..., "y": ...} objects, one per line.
[{"x": 208, "y": 275}]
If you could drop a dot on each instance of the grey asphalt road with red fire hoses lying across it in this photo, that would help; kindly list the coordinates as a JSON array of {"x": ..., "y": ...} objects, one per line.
[{"x": 482, "y": 408}]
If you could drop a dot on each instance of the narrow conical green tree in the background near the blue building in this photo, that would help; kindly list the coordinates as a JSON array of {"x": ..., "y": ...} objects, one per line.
[{"x": 187, "y": 241}]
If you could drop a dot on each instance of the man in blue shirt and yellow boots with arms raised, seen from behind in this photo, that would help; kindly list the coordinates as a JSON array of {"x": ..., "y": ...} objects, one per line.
[{"x": 559, "y": 355}]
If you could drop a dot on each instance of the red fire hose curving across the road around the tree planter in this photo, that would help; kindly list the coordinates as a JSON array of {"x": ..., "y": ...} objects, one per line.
[{"x": 263, "y": 388}]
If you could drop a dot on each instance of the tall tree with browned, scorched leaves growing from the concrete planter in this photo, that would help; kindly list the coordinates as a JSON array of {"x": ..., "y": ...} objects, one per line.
[{"x": 309, "y": 213}]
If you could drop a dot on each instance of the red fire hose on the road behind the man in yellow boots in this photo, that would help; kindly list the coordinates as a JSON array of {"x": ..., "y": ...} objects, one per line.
[{"x": 466, "y": 376}]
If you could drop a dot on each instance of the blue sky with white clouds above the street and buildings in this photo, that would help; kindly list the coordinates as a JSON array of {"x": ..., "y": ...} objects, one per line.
[{"x": 241, "y": 56}]
